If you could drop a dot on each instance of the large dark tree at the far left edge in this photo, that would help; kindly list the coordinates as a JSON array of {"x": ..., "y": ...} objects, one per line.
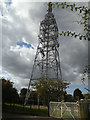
[{"x": 9, "y": 94}]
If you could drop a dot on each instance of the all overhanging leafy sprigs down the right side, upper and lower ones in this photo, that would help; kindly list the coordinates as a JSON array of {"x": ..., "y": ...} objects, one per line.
[{"x": 84, "y": 14}]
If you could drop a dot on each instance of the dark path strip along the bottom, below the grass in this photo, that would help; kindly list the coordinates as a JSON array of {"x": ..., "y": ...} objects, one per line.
[{"x": 25, "y": 117}]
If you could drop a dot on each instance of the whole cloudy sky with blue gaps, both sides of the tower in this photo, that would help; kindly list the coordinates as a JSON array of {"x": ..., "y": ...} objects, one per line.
[{"x": 20, "y": 24}]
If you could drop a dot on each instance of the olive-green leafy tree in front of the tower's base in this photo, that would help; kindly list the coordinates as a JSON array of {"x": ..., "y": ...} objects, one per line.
[{"x": 49, "y": 90}]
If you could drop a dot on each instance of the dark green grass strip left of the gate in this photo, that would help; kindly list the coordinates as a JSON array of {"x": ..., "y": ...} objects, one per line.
[{"x": 25, "y": 110}]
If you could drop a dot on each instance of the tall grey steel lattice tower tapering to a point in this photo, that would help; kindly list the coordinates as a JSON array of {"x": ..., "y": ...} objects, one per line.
[{"x": 47, "y": 60}]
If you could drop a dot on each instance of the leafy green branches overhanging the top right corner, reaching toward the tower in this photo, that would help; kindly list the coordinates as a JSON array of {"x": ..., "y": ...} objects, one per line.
[{"x": 84, "y": 14}]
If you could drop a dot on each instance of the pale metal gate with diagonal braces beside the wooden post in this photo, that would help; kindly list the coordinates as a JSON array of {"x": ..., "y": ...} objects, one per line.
[{"x": 66, "y": 110}]
